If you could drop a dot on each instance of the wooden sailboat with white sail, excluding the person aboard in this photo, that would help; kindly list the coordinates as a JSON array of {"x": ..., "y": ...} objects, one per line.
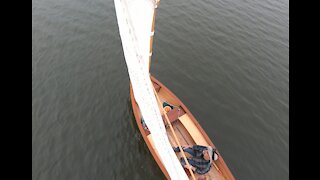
[{"x": 163, "y": 120}]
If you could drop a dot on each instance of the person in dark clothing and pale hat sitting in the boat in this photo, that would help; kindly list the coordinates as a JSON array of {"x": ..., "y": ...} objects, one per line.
[{"x": 202, "y": 157}]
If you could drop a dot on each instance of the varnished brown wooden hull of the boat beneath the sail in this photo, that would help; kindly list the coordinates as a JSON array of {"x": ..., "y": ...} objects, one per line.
[{"x": 187, "y": 129}]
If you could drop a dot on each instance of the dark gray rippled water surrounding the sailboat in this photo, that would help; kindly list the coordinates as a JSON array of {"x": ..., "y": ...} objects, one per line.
[{"x": 227, "y": 60}]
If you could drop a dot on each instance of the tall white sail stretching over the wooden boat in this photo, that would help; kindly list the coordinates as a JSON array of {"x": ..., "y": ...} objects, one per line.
[{"x": 135, "y": 20}]
